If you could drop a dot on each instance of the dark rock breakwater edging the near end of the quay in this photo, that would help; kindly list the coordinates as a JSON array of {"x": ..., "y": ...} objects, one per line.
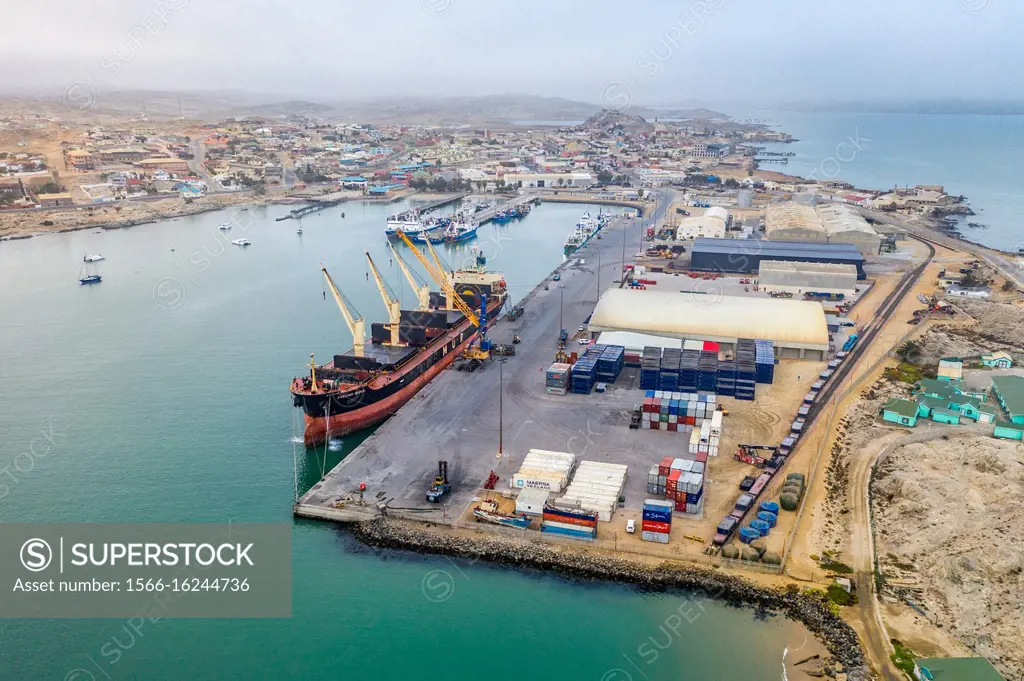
[{"x": 814, "y": 613}]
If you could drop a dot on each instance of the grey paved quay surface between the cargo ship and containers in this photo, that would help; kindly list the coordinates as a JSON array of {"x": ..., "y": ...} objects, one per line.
[{"x": 455, "y": 418}]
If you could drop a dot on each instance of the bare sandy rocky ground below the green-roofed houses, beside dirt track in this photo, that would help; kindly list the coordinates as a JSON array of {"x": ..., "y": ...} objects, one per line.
[{"x": 950, "y": 530}]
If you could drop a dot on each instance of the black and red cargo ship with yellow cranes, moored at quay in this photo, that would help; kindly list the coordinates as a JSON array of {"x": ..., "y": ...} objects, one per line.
[{"x": 364, "y": 387}]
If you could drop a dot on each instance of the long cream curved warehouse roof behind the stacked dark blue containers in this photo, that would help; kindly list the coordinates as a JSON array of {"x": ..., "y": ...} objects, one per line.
[{"x": 790, "y": 323}]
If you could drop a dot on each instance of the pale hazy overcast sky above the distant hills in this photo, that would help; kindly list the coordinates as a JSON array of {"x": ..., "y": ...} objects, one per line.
[{"x": 656, "y": 53}]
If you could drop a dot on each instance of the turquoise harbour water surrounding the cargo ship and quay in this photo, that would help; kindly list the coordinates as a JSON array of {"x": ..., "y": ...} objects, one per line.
[{"x": 166, "y": 390}]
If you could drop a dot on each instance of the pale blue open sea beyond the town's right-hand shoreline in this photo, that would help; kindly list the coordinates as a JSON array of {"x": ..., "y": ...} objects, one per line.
[{"x": 974, "y": 156}]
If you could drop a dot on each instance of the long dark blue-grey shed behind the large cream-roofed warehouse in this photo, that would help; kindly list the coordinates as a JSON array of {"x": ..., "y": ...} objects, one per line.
[{"x": 744, "y": 257}]
